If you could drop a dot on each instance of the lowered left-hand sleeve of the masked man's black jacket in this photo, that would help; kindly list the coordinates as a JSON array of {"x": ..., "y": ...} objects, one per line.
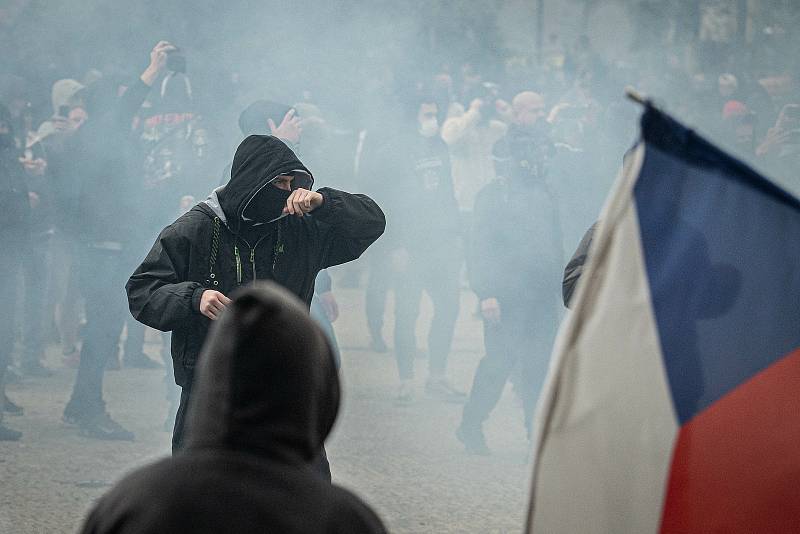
[{"x": 158, "y": 293}]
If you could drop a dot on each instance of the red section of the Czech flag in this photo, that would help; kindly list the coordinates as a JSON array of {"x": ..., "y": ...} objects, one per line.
[{"x": 736, "y": 465}]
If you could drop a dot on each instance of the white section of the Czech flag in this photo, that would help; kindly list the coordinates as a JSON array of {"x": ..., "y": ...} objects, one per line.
[{"x": 606, "y": 425}]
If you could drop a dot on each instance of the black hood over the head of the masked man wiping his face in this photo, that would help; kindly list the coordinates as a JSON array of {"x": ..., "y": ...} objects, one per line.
[{"x": 257, "y": 162}]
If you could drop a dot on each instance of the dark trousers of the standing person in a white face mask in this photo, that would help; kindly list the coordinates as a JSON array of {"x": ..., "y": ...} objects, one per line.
[{"x": 439, "y": 279}]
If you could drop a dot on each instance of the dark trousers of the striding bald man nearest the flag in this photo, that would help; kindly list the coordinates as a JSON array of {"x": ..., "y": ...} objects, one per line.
[{"x": 517, "y": 348}]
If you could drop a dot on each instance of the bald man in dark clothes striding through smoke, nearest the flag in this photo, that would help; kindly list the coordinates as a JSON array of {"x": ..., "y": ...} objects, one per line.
[{"x": 514, "y": 263}]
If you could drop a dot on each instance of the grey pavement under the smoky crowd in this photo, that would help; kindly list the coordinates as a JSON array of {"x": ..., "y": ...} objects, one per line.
[{"x": 403, "y": 460}]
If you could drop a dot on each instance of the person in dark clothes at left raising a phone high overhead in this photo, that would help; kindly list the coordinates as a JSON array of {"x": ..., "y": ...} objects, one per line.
[{"x": 106, "y": 204}]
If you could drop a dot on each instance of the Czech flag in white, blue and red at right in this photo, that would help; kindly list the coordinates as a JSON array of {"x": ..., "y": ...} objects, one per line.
[{"x": 673, "y": 399}]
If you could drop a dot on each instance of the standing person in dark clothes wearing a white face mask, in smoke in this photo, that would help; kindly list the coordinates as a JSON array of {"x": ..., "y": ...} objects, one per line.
[{"x": 425, "y": 251}]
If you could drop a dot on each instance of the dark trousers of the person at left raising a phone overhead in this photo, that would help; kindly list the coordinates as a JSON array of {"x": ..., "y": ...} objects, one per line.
[{"x": 102, "y": 276}]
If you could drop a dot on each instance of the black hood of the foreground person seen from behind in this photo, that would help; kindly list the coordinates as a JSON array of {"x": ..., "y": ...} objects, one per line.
[{"x": 266, "y": 382}]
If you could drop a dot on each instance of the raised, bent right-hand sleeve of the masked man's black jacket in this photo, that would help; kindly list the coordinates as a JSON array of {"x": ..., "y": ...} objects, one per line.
[{"x": 354, "y": 223}]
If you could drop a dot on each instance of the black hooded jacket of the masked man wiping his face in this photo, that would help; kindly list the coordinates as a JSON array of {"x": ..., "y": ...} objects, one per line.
[{"x": 164, "y": 292}]
